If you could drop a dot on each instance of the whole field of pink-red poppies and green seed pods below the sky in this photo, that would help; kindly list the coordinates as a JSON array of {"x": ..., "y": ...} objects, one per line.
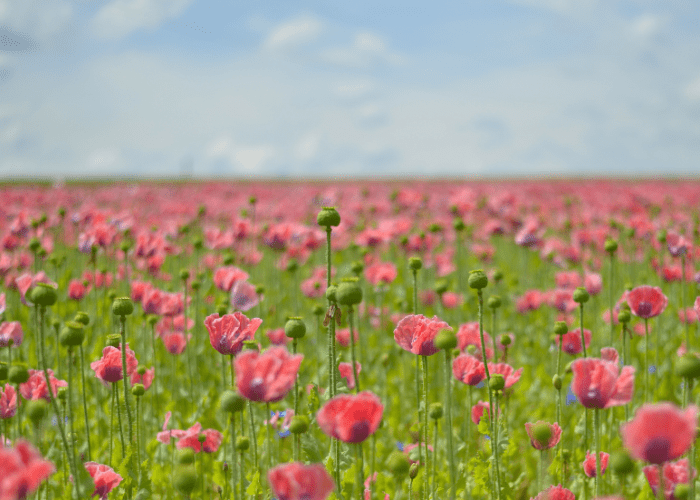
[{"x": 350, "y": 340}]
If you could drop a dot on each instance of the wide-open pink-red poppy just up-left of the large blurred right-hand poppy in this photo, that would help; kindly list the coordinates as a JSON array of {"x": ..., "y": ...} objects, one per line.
[{"x": 600, "y": 384}]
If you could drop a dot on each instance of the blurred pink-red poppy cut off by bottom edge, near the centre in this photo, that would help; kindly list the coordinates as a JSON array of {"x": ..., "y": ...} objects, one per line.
[{"x": 297, "y": 481}]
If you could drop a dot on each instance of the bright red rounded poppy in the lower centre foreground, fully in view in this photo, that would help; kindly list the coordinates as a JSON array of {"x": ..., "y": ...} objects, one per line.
[{"x": 351, "y": 418}]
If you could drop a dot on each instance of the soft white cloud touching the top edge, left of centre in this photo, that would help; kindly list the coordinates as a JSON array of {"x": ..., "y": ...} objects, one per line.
[{"x": 121, "y": 17}]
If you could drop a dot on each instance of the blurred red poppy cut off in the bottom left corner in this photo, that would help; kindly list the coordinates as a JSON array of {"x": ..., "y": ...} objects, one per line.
[{"x": 22, "y": 469}]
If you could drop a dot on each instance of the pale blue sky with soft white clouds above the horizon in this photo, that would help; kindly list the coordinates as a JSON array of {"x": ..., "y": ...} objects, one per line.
[{"x": 337, "y": 87}]
